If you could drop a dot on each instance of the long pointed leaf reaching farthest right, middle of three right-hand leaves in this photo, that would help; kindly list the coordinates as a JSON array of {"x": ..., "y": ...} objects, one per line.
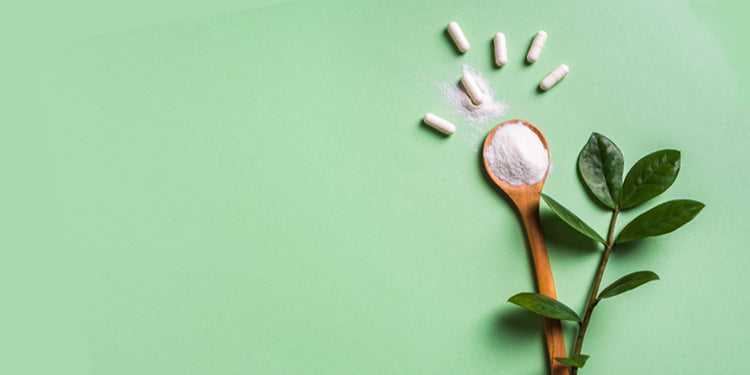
[{"x": 661, "y": 219}]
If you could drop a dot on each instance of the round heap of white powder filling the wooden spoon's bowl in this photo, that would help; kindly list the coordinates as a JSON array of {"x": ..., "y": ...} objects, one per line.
[{"x": 516, "y": 155}]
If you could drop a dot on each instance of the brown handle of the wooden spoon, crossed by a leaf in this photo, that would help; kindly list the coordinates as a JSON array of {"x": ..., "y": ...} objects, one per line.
[{"x": 552, "y": 327}]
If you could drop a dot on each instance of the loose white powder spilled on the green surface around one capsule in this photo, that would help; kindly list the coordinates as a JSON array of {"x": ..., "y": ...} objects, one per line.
[{"x": 474, "y": 116}]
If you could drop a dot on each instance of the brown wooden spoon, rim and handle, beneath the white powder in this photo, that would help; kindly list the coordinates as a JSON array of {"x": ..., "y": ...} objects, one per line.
[{"x": 526, "y": 199}]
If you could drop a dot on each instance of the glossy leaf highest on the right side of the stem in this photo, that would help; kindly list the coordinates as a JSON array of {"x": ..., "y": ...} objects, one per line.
[{"x": 649, "y": 177}]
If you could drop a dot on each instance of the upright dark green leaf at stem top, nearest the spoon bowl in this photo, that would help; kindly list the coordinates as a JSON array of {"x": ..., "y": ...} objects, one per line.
[{"x": 600, "y": 164}]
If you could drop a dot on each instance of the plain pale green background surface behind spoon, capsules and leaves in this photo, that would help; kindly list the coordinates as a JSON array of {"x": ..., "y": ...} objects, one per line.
[{"x": 248, "y": 188}]
